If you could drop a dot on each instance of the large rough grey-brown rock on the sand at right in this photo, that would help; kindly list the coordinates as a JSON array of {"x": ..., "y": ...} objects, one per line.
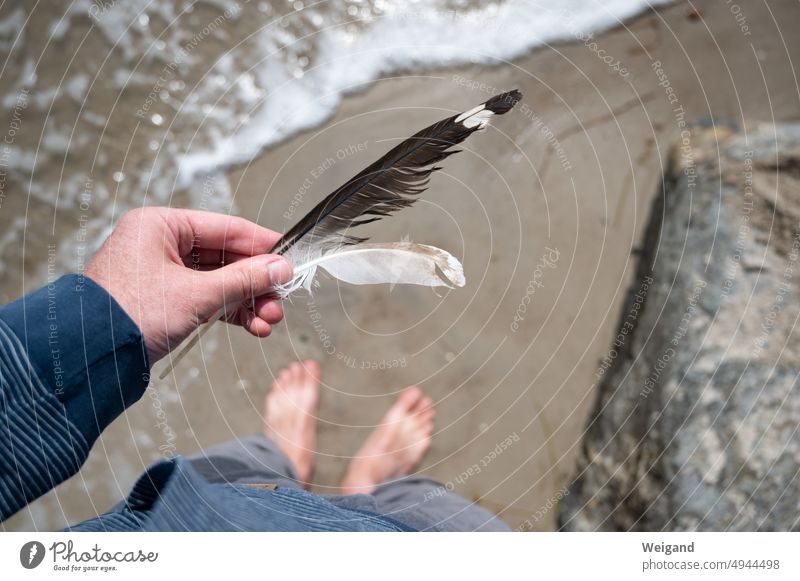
[{"x": 696, "y": 425}]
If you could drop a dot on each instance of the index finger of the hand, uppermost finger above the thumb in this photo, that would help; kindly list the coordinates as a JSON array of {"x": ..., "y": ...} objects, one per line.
[{"x": 225, "y": 232}]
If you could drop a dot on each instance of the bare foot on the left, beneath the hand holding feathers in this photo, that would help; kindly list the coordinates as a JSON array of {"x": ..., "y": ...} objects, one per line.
[{"x": 290, "y": 414}]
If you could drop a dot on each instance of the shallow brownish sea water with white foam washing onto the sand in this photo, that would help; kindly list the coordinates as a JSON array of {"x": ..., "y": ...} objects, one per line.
[{"x": 114, "y": 104}]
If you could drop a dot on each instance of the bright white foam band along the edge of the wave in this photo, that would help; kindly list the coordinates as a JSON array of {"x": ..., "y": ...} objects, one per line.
[{"x": 406, "y": 35}]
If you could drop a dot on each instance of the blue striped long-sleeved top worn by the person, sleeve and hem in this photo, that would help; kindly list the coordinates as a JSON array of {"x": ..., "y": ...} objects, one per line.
[{"x": 71, "y": 361}]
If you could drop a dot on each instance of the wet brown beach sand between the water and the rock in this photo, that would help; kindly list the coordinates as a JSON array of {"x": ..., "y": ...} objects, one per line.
[{"x": 545, "y": 209}]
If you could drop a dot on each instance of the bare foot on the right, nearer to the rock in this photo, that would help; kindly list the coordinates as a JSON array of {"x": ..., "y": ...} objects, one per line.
[{"x": 396, "y": 446}]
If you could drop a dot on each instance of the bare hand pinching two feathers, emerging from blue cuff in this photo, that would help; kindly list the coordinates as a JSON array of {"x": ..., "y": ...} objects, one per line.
[{"x": 172, "y": 270}]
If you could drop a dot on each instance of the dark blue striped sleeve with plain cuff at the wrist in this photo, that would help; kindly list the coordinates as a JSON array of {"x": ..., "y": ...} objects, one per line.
[{"x": 71, "y": 361}]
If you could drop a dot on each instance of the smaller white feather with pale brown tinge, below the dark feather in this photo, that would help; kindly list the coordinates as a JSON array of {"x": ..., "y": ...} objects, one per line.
[{"x": 392, "y": 263}]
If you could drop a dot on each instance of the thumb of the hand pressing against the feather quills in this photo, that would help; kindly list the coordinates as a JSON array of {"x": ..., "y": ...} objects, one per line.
[{"x": 245, "y": 279}]
